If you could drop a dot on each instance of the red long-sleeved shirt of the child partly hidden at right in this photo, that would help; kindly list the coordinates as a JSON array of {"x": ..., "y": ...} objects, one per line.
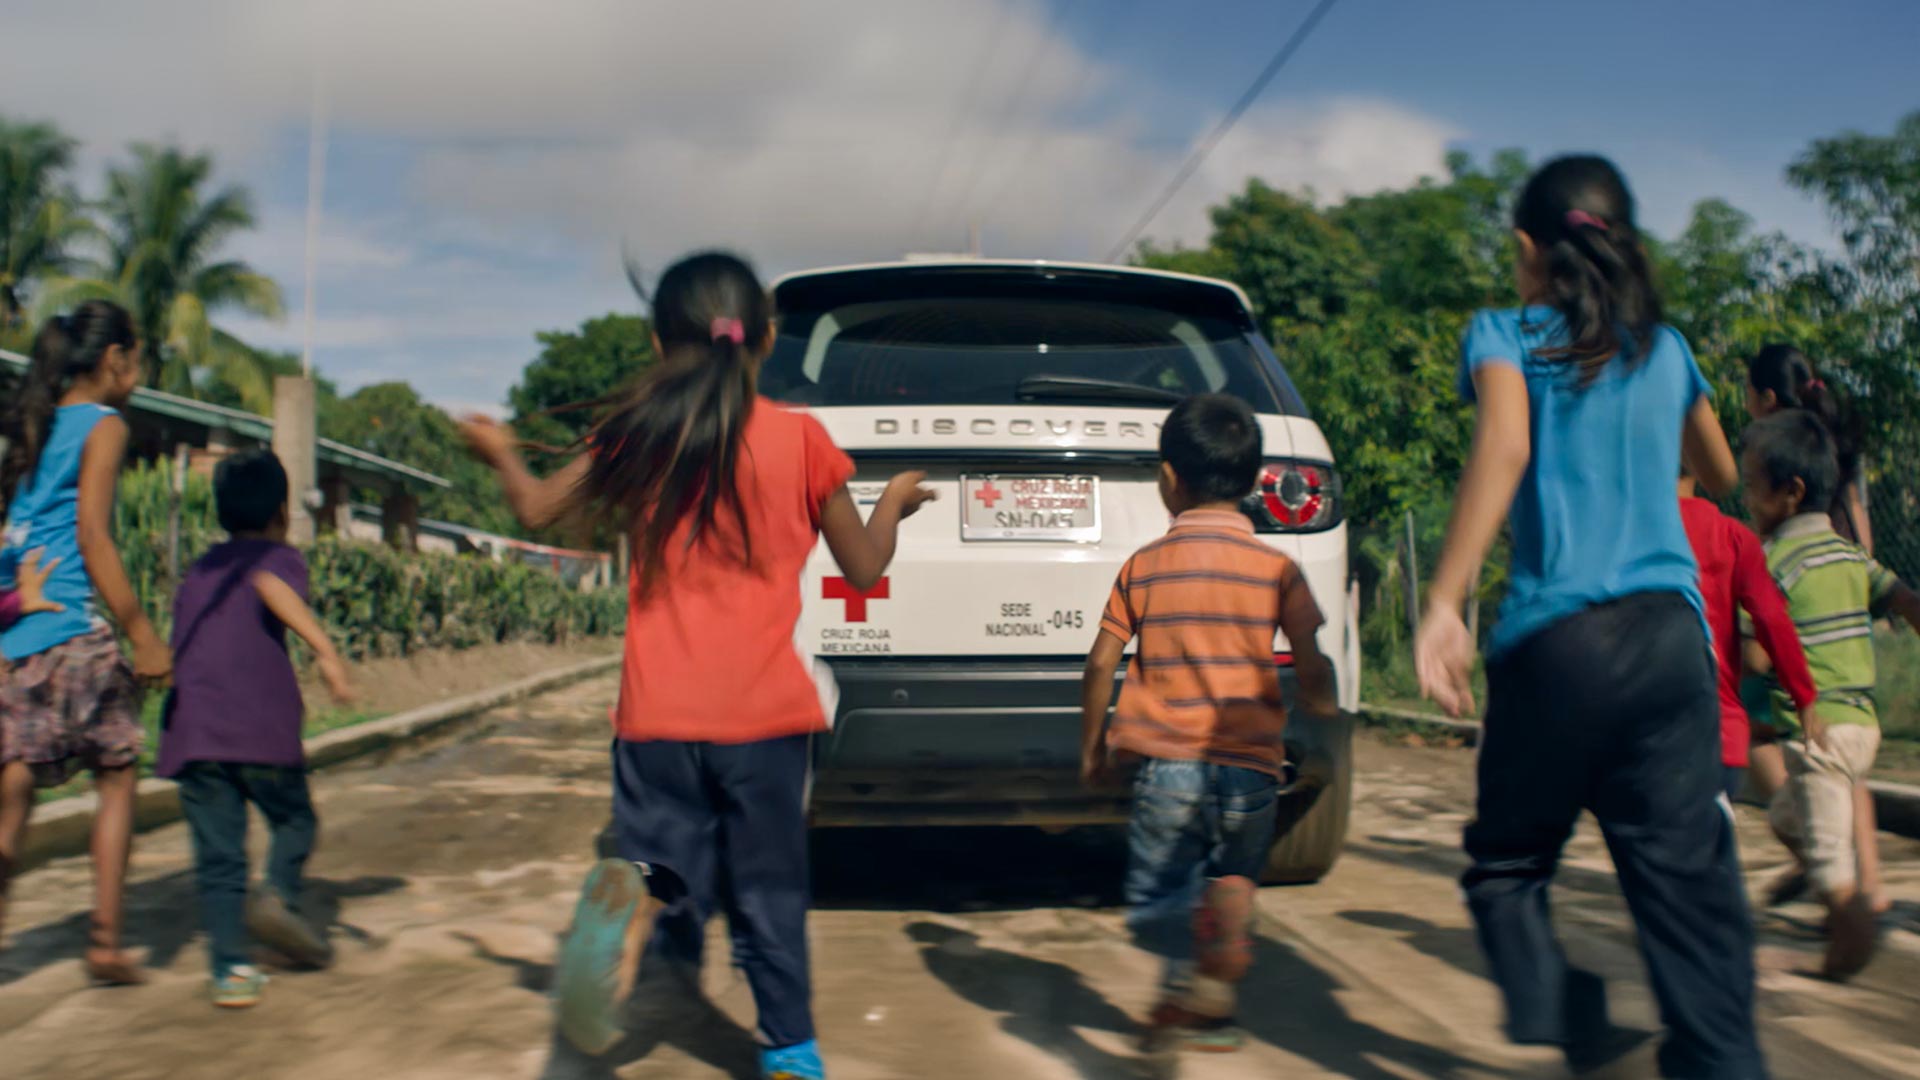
[{"x": 1733, "y": 576}]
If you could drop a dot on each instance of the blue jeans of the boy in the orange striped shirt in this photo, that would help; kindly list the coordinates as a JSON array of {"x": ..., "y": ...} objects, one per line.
[{"x": 1191, "y": 823}]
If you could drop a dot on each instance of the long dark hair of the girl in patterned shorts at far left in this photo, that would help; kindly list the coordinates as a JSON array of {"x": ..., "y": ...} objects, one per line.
[{"x": 66, "y": 349}]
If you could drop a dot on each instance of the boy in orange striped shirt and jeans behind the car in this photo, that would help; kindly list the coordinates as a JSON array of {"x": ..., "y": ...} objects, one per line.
[{"x": 1203, "y": 714}]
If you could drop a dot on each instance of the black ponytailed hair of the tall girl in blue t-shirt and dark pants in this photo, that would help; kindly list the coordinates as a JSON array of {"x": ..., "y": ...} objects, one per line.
[{"x": 1581, "y": 218}]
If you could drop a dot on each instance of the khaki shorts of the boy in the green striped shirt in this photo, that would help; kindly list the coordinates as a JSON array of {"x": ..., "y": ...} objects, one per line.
[{"x": 1813, "y": 812}]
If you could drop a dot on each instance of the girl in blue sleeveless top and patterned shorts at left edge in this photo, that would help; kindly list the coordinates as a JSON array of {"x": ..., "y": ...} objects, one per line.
[{"x": 74, "y": 702}]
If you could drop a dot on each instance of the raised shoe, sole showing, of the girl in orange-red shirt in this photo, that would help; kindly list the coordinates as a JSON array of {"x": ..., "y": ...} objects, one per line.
[{"x": 600, "y": 958}]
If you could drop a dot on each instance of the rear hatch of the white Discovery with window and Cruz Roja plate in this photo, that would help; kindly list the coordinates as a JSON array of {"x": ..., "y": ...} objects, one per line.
[{"x": 1034, "y": 399}]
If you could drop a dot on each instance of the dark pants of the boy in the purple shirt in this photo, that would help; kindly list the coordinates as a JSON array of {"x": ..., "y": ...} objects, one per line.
[{"x": 214, "y": 800}]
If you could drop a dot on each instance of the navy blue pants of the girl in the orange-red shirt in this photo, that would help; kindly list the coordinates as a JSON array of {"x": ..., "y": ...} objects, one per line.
[{"x": 725, "y": 829}]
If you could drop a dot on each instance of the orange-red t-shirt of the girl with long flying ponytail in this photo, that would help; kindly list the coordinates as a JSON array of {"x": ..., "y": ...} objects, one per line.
[{"x": 709, "y": 650}]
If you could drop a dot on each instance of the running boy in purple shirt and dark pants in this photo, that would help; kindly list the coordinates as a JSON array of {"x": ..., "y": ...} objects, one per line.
[{"x": 231, "y": 731}]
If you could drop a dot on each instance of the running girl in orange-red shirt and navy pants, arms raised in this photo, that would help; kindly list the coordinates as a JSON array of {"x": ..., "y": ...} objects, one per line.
[{"x": 725, "y": 497}]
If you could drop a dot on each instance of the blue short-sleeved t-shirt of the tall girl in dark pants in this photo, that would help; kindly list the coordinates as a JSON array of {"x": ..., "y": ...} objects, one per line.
[{"x": 1596, "y": 516}]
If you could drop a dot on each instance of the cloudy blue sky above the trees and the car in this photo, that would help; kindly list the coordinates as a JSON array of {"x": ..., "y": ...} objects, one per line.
[{"x": 489, "y": 162}]
